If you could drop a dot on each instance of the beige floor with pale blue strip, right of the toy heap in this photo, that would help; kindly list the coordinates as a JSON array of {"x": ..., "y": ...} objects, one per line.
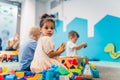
[{"x": 107, "y": 70}]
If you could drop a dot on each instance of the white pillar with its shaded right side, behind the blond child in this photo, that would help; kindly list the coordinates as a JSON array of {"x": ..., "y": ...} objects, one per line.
[{"x": 30, "y": 14}]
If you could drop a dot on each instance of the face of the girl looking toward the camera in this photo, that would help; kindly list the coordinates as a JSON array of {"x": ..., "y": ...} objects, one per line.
[{"x": 47, "y": 29}]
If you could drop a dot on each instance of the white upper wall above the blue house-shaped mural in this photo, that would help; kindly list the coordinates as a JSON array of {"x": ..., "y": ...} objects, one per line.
[{"x": 92, "y": 10}]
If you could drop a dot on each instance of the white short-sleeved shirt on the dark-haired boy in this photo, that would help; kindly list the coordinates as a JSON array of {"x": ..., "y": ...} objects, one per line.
[{"x": 70, "y": 51}]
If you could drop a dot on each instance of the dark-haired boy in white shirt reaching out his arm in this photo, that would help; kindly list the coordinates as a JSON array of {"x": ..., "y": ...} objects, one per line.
[{"x": 71, "y": 47}]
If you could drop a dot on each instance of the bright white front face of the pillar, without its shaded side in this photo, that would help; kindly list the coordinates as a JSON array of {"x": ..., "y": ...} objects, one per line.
[{"x": 27, "y": 18}]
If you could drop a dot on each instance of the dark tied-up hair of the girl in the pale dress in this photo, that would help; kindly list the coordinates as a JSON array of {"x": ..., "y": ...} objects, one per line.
[{"x": 46, "y": 18}]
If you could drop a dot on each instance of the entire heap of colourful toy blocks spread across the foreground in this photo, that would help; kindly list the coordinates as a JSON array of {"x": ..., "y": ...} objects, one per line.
[{"x": 75, "y": 68}]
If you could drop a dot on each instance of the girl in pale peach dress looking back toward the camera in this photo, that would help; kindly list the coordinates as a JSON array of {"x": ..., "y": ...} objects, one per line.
[{"x": 45, "y": 55}]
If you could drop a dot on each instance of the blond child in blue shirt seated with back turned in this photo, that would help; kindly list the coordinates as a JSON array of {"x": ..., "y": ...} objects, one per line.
[{"x": 27, "y": 50}]
